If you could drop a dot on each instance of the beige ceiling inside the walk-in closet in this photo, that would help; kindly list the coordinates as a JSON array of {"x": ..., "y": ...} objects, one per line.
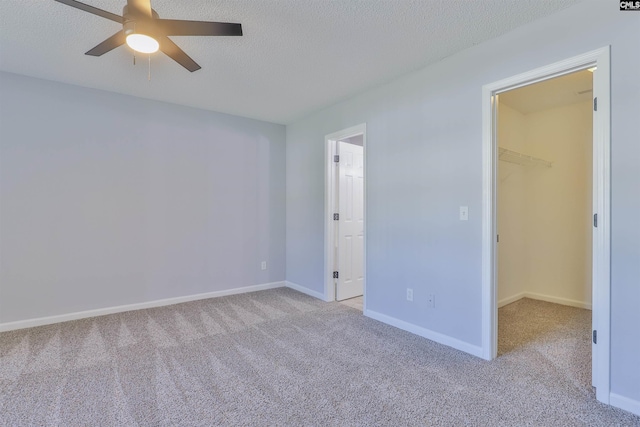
[{"x": 558, "y": 92}]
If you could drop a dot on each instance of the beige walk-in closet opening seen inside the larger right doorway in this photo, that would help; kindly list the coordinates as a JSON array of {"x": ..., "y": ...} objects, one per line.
[{"x": 544, "y": 193}]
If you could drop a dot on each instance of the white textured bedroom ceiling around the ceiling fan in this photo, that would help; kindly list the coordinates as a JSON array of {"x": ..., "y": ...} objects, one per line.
[{"x": 296, "y": 56}]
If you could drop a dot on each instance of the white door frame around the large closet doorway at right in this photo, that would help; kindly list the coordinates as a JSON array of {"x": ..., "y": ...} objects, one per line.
[{"x": 601, "y": 204}]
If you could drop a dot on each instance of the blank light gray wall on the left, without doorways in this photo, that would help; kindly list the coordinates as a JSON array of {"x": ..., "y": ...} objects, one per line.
[{"x": 107, "y": 200}]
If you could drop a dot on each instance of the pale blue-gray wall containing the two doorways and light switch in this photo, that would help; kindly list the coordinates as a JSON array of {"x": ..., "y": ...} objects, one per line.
[{"x": 424, "y": 142}]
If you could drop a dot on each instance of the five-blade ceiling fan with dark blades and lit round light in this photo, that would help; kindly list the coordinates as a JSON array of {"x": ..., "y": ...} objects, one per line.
[{"x": 145, "y": 32}]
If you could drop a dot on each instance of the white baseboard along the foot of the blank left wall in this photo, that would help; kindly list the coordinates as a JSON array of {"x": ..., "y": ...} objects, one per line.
[{"x": 30, "y": 323}]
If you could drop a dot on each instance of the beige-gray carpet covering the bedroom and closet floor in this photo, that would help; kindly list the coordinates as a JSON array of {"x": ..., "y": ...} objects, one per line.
[{"x": 281, "y": 358}]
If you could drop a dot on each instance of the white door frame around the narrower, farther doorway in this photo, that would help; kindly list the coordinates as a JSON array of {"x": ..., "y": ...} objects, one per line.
[{"x": 330, "y": 142}]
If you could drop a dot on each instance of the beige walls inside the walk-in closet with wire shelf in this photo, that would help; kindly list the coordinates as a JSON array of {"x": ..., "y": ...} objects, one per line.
[{"x": 544, "y": 213}]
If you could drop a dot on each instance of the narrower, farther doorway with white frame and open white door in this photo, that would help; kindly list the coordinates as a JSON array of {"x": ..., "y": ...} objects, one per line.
[{"x": 345, "y": 226}]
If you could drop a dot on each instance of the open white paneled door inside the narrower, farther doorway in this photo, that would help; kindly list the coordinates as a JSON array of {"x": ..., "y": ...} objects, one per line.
[{"x": 350, "y": 280}]
